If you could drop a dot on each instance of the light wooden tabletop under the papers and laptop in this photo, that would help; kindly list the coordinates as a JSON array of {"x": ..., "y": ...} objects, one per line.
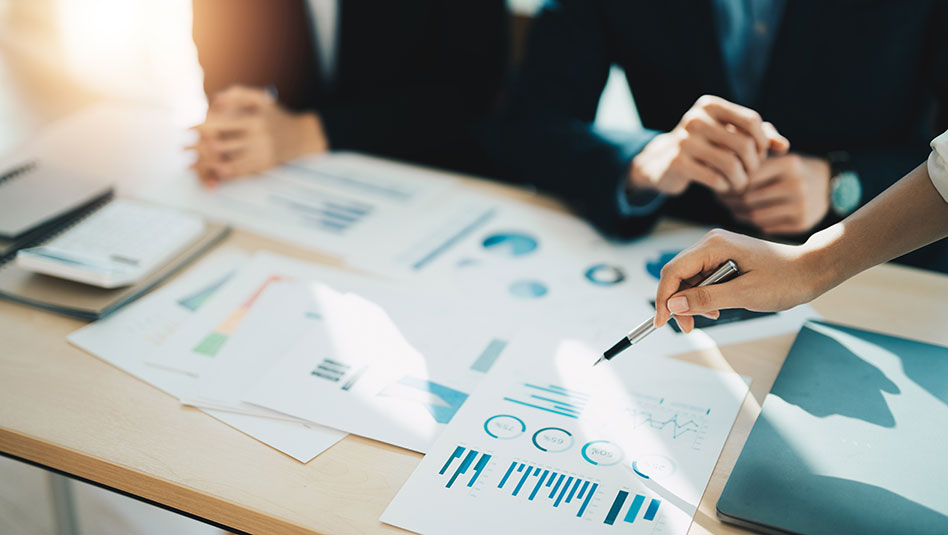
[{"x": 65, "y": 410}]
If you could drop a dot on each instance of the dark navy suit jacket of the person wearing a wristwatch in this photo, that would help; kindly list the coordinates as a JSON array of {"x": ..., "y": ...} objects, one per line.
[{"x": 861, "y": 76}]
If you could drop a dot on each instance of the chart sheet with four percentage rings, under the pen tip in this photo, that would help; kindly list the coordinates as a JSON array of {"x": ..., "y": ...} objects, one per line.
[{"x": 550, "y": 444}]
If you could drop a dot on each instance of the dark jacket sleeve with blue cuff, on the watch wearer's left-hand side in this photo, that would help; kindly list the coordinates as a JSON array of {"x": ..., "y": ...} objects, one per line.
[{"x": 546, "y": 135}]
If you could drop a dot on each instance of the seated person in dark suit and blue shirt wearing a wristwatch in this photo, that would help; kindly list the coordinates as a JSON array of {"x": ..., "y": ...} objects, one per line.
[{"x": 764, "y": 116}]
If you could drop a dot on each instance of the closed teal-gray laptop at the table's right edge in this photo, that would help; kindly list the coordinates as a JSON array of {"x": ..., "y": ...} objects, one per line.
[{"x": 853, "y": 438}]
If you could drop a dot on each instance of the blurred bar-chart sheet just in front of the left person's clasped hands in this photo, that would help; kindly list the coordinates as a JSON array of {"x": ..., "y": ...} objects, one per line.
[{"x": 343, "y": 204}]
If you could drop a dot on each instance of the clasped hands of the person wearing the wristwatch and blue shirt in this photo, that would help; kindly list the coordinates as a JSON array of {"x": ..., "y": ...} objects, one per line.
[{"x": 744, "y": 160}]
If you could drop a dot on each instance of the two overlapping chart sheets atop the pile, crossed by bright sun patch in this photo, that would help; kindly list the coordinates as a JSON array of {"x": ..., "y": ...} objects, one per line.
[{"x": 298, "y": 340}]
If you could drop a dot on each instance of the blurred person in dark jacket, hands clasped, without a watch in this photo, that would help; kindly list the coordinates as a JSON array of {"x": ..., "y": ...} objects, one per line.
[{"x": 286, "y": 78}]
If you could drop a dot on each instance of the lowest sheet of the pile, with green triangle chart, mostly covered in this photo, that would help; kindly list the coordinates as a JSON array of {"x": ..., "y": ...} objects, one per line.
[{"x": 126, "y": 338}]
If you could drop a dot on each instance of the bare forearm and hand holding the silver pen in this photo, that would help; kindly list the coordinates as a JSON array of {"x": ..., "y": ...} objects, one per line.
[{"x": 910, "y": 214}]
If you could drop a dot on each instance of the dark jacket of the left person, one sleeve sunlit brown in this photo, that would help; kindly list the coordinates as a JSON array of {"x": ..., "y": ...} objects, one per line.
[{"x": 412, "y": 76}]
